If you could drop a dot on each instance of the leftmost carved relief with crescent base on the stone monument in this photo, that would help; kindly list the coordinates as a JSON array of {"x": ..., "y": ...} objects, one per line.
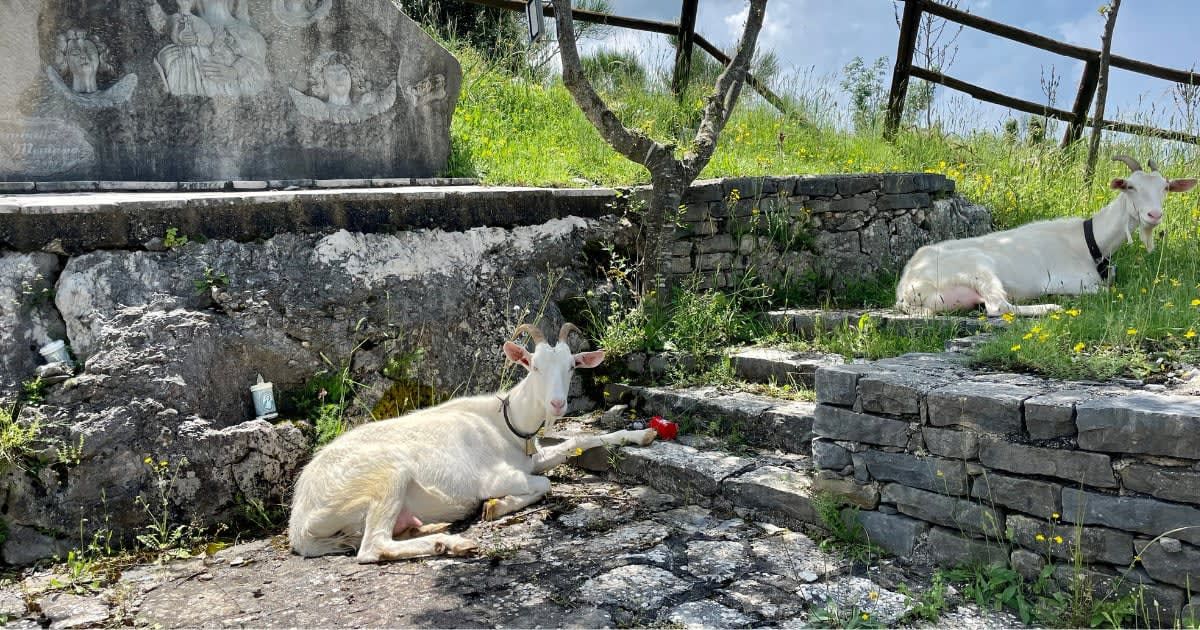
[{"x": 83, "y": 58}]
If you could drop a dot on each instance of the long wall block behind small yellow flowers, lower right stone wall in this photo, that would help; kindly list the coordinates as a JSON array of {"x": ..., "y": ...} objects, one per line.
[{"x": 1094, "y": 544}]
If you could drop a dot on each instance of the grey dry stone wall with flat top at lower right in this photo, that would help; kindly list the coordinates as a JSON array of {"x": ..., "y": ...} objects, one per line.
[{"x": 971, "y": 467}]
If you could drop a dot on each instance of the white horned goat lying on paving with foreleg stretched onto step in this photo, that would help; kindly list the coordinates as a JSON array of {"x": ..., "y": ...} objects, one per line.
[{"x": 376, "y": 487}]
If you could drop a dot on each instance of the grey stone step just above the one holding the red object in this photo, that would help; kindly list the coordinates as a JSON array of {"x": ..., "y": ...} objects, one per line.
[{"x": 758, "y": 421}]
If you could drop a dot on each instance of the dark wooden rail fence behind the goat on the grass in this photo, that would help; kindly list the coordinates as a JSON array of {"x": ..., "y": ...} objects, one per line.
[{"x": 1077, "y": 119}]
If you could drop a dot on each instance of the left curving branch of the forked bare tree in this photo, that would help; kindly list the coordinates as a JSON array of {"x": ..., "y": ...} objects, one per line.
[{"x": 631, "y": 143}]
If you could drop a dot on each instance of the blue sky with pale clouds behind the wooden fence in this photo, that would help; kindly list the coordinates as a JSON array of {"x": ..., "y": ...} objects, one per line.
[{"x": 818, "y": 38}]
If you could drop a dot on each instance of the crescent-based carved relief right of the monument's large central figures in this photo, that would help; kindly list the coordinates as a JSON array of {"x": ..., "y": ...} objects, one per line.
[{"x": 340, "y": 93}]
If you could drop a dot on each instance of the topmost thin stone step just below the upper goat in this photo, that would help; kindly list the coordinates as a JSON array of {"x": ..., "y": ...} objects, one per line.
[{"x": 806, "y": 322}]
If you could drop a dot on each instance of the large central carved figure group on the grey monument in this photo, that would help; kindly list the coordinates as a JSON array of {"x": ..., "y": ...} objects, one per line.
[{"x": 215, "y": 51}]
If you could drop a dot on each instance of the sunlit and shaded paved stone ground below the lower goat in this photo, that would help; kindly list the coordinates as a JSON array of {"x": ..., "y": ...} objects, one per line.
[{"x": 596, "y": 554}]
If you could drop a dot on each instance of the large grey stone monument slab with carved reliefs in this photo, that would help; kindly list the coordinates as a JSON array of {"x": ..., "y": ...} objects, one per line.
[{"x": 181, "y": 91}]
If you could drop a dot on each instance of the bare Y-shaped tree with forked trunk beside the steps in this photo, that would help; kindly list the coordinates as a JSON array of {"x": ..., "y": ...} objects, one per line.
[{"x": 670, "y": 177}]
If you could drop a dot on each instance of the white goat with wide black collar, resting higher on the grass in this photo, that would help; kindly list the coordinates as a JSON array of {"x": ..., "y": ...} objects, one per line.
[{"x": 1064, "y": 256}]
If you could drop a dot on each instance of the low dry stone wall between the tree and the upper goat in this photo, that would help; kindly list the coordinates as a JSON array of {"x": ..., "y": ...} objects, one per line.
[{"x": 830, "y": 229}]
